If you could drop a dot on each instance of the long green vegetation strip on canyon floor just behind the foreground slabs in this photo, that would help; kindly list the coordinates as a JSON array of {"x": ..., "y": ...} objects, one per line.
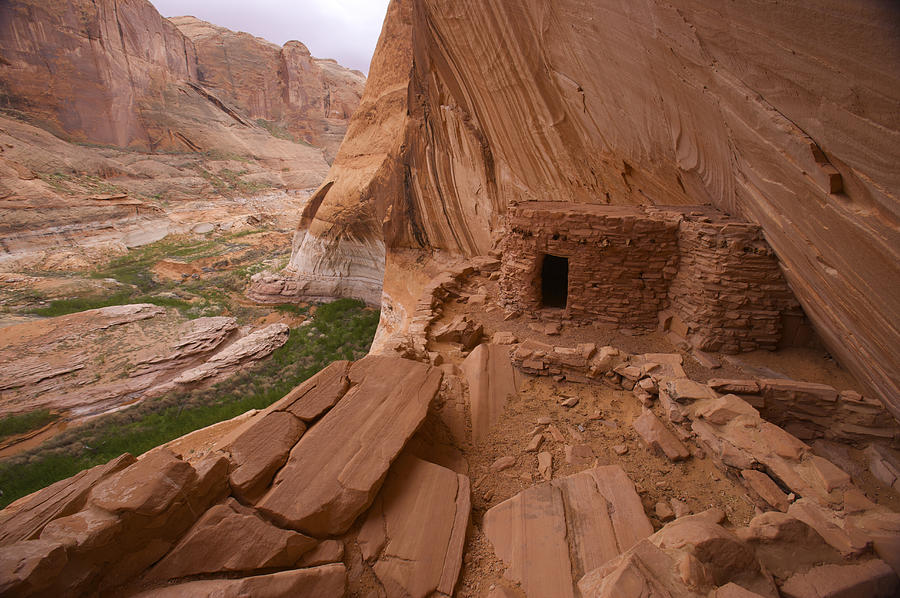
[{"x": 340, "y": 330}]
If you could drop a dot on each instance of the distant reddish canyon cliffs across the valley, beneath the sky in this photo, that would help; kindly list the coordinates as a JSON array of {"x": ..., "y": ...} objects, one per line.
[{"x": 115, "y": 72}]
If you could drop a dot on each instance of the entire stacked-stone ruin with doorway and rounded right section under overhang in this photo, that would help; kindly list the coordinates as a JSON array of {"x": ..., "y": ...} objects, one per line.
[{"x": 711, "y": 280}]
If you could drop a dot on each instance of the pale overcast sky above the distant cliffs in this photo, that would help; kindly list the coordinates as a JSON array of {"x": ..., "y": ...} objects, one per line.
[{"x": 346, "y": 30}]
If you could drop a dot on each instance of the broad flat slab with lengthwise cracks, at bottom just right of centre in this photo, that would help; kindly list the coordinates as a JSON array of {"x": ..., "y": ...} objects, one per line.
[{"x": 597, "y": 510}]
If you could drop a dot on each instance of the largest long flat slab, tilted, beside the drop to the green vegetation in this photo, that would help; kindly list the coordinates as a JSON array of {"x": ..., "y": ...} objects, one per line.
[{"x": 332, "y": 474}]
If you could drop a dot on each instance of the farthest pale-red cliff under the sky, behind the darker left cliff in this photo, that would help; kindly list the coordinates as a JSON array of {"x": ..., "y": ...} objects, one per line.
[{"x": 312, "y": 98}]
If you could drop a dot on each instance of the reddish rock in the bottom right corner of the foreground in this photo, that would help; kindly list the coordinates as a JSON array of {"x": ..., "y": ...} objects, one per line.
[{"x": 873, "y": 579}]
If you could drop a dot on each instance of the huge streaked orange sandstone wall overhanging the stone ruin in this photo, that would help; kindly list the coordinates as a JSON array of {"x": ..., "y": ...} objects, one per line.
[{"x": 786, "y": 115}]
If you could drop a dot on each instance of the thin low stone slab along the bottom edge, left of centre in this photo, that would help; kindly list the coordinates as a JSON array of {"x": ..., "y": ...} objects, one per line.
[{"x": 329, "y": 581}]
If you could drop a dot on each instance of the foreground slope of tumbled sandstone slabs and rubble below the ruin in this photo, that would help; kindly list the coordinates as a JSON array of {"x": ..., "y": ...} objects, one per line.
[{"x": 487, "y": 467}]
